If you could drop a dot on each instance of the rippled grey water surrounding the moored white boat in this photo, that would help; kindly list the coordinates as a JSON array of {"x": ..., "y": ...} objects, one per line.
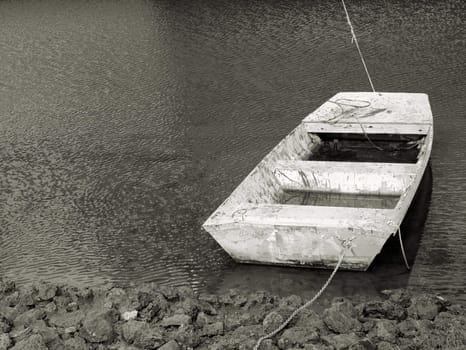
[{"x": 124, "y": 124}]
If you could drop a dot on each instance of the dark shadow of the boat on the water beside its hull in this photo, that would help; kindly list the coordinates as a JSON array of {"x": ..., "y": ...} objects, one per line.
[{"x": 387, "y": 271}]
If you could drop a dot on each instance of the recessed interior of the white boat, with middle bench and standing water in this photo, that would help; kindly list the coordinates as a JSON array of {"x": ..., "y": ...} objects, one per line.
[{"x": 366, "y": 171}]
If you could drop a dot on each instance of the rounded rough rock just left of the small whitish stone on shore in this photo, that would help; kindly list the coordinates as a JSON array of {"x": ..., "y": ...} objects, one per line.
[{"x": 97, "y": 327}]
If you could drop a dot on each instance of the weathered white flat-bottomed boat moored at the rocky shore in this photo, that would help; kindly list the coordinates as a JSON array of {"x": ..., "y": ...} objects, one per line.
[{"x": 347, "y": 173}]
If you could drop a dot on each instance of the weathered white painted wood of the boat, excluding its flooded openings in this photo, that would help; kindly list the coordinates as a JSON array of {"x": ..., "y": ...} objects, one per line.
[{"x": 252, "y": 227}]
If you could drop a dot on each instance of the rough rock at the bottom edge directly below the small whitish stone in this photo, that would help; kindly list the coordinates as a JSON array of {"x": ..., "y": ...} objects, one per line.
[{"x": 142, "y": 335}]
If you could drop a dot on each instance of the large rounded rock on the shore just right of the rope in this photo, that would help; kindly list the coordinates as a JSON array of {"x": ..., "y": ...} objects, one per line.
[{"x": 340, "y": 317}]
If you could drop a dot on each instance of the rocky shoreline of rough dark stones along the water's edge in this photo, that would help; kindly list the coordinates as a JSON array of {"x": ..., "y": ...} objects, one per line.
[{"x": 50, "y": 316}]
